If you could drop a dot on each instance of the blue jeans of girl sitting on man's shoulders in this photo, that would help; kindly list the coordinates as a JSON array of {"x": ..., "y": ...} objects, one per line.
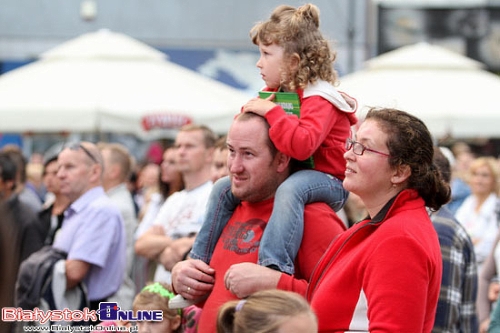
[{"x": 283, "y": 234}]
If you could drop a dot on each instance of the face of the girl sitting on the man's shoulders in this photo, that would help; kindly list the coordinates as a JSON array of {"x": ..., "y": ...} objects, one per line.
[{"x": 270, "y": 63}]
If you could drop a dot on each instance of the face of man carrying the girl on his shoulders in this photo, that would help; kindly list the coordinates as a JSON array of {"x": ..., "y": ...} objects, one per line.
[{"x": 253, "y": 171}]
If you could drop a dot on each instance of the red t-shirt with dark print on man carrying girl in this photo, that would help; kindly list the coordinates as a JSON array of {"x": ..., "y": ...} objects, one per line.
[{"x": 239, "y": 242}]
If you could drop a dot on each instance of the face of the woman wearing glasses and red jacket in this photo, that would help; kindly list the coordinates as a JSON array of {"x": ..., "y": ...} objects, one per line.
[{"x": 369, "y": 175}]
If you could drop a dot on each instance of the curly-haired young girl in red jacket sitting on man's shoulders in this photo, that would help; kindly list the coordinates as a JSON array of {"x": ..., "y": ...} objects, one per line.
[{"x": 294, "y": 57}]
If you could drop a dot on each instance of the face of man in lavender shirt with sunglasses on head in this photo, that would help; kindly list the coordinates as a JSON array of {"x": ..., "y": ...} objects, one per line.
[{"x": 76, "y": 173}]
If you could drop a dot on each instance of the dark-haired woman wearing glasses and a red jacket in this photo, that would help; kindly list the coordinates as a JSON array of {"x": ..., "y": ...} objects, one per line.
[{"x": 384, "y": 273}]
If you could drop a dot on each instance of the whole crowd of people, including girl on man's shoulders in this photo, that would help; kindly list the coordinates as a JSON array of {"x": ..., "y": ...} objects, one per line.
[{"x": 385, "y": 232}]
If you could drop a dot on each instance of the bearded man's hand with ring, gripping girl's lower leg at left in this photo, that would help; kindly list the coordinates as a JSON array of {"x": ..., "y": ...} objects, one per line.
[{"x": 192, "y": 278}]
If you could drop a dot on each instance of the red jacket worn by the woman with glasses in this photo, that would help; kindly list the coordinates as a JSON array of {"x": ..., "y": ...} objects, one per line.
[{"x": 381, "y": 275}]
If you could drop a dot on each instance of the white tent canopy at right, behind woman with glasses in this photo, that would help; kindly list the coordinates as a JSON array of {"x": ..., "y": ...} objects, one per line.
[{"x": 451, "y": 93}]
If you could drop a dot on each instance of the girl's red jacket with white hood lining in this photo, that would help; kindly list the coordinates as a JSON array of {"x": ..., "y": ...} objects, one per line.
[{"x": 326, "y": 117}]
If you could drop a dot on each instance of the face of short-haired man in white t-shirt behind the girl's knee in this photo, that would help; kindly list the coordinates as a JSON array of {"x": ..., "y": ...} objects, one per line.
[{"x": 192, "y": 155}]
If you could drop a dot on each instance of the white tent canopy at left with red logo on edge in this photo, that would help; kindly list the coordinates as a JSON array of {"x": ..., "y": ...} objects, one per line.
[{"x": 109, "y": 82}]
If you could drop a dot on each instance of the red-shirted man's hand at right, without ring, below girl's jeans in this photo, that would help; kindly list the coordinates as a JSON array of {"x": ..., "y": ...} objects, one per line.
[{"x": 246, "y": 278}]
